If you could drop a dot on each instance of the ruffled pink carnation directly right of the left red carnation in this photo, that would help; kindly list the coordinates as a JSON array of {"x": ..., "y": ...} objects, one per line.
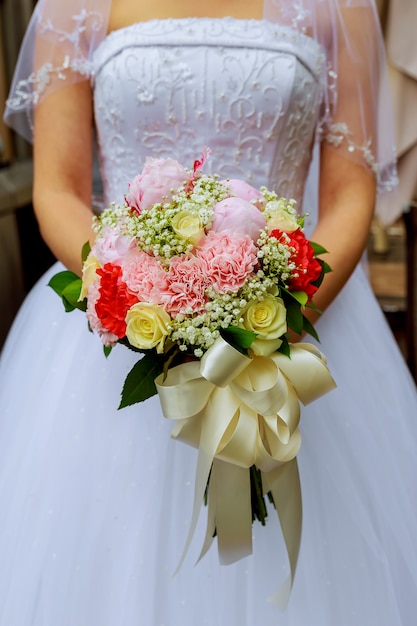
[{"x": 144, "y": 275}]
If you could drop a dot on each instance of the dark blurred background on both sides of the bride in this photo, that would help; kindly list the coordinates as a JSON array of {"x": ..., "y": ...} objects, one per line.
[{"x": 392, "y": 249}]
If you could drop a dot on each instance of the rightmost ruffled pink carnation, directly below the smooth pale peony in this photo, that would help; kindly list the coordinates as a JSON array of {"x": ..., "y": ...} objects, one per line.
[{"x": 229, "y": 260}]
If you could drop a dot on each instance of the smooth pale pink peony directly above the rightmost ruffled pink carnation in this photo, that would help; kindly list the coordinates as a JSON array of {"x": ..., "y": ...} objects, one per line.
[{"x": 238, "y": 216}]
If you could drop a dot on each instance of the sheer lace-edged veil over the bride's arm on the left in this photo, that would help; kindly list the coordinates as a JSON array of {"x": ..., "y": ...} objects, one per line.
[{"x": 56, "y": 51}]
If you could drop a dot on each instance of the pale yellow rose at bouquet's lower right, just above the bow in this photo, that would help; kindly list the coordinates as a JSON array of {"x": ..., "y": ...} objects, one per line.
[{"x": 267, "y": 318}]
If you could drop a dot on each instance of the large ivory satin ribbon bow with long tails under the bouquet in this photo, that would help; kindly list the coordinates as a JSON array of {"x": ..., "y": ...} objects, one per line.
[{"x": 240, "y": 411}]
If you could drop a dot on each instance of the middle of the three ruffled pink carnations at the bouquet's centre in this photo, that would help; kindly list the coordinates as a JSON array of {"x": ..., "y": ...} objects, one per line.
[{"x": 186, "y": 286}]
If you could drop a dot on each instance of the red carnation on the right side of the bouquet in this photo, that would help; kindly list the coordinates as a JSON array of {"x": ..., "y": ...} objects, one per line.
[{"x": 307, "y": 267}]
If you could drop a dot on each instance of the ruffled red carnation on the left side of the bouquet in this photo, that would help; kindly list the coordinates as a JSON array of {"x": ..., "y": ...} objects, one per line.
[{"x": 115, "y": 300}]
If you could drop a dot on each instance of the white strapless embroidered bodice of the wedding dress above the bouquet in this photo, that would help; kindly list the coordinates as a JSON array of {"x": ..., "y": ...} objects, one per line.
[{"x": 250, "y": 90}]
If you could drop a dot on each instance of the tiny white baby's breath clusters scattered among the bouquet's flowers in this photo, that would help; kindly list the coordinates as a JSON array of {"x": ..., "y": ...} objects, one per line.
[{"x": 194, "y": 332}]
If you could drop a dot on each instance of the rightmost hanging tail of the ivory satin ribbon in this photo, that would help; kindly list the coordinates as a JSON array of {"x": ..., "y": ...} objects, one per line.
[{"x": 284, "y": 484}]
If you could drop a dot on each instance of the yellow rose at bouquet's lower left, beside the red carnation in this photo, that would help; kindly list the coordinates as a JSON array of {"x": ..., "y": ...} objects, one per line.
[{"x": 147, "y": 326}]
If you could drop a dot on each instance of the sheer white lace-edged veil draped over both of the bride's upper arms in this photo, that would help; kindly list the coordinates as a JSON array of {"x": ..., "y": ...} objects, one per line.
[{"x": 356, "y": 115}]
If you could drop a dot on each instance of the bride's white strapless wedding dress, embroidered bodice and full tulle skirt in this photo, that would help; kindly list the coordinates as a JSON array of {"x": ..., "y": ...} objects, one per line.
[{"x": 95, "y": 503}]
